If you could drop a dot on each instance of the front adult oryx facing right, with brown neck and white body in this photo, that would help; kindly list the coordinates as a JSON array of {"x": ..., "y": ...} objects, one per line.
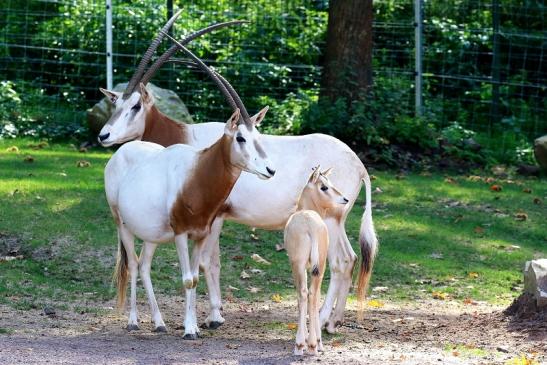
[{"x": 173, "y": 194}]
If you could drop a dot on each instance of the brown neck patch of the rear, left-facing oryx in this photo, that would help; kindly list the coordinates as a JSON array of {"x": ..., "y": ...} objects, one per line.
[{"x": 161, "y": 129}]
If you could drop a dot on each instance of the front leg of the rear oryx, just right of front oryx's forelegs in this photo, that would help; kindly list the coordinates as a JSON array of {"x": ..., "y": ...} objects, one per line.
[{"x": 210, "y": 264}]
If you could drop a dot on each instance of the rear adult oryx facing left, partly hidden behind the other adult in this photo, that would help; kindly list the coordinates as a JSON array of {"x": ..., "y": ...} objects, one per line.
[{"x": 262, "y": 205}]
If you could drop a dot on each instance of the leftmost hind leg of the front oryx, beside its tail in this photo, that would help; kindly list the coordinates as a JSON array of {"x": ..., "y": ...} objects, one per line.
[{"x": 128, "y": 240}]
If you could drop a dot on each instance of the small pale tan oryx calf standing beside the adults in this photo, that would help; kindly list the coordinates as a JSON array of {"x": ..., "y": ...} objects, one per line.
[{"x": 307, "y": 244}]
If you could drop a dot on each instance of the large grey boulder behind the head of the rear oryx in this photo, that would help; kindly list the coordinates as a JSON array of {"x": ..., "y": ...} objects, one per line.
[{"x": 166, "y": 101}]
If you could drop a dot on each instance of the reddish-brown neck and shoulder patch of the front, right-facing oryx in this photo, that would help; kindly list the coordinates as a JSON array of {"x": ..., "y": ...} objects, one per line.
[{"x": 203, "y": 195}]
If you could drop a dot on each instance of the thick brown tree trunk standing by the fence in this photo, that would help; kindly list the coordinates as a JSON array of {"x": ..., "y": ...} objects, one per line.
[{"x": 347, "y": 68}]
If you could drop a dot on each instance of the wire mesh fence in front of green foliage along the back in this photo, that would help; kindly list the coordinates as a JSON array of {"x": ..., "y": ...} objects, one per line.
[{"x": 484, "y": 61}]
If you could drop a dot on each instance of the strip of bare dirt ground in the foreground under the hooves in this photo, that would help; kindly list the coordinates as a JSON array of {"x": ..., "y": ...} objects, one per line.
[{"x": 423, "y": 332}]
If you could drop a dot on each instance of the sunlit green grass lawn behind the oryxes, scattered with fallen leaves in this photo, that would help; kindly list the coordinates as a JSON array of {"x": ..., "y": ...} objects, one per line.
[{"x": 58, "y": 213}]
